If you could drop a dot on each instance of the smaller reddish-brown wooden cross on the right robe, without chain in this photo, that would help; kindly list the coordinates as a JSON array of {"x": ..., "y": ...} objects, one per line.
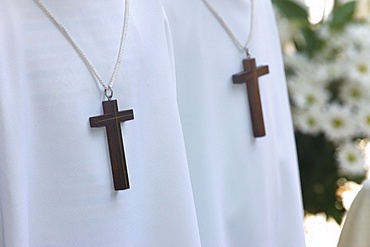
[{"x": 250, "y": 77}]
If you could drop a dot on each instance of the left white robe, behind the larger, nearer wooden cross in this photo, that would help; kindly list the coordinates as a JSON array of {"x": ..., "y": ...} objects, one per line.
[{"x": 56, "y": 185}]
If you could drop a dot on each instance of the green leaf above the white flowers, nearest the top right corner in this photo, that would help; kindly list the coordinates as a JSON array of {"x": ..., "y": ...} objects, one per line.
[{"x": 342, "y": 15}]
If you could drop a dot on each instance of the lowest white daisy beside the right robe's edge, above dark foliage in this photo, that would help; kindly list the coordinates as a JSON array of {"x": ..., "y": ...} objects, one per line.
[{"x": 309, "y": 121}]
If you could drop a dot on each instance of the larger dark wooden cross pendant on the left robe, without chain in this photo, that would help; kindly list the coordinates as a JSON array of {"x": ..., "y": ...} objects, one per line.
[{"x": 112, "y": 119}]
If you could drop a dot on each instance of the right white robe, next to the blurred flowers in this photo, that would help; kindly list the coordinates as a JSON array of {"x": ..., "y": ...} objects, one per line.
[{"x": 247, "y": 190}]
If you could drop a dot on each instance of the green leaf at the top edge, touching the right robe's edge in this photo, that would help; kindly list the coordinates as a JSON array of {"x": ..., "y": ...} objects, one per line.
[{"x": 291, "y": 9}]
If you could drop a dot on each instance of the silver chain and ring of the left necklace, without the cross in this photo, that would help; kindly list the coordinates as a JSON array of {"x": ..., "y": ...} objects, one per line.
[{"x": 108, "y": 88}]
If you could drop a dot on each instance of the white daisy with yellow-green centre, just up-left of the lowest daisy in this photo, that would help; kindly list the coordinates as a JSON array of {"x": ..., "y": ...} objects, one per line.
[{"x": 339, "y": 123}]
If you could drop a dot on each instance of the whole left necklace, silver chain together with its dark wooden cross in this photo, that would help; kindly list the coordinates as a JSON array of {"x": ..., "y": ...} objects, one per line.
[{"x": 112, "y": 117}]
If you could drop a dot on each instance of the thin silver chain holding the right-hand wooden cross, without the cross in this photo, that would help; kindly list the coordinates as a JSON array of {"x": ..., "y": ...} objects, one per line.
[{"x": 228, "y": 30}]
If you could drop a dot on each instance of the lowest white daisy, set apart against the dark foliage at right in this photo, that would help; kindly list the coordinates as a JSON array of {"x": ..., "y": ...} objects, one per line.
[{"x": 351, "y": 160}]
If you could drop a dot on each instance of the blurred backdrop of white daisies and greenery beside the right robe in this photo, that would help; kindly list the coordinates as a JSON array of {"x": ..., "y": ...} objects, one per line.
[{"x": 326, "y": 47}]
